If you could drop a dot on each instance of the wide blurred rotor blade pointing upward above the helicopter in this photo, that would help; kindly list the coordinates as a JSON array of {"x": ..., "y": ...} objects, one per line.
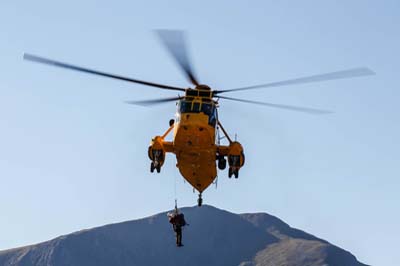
[{"x": 175, "y": 42}]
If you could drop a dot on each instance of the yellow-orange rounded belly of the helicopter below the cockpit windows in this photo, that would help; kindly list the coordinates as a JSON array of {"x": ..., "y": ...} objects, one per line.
[{"x": 196, "y": 154}]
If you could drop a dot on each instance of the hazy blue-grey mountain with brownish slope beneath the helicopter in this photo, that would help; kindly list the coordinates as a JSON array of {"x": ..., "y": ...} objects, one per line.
[{"x": 213, "y": 237}]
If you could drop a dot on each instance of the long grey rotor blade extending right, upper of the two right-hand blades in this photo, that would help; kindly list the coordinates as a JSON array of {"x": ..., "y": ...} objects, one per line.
[{"x": 349, "y": 73}]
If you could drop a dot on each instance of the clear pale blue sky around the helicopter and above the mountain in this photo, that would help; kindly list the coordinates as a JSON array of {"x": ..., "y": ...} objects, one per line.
[{"x": 73, "y": 155}]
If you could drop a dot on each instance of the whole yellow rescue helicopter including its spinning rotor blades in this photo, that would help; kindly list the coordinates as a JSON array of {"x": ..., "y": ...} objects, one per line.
[{"x": 195, "y": 129}]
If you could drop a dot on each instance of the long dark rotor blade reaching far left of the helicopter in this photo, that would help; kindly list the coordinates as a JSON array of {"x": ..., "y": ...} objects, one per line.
[{"x": 46, "y": 61}]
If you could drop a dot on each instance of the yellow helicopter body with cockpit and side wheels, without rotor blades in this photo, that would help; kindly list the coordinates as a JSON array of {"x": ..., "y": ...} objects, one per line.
[{"x": 194, "y": 142}]
